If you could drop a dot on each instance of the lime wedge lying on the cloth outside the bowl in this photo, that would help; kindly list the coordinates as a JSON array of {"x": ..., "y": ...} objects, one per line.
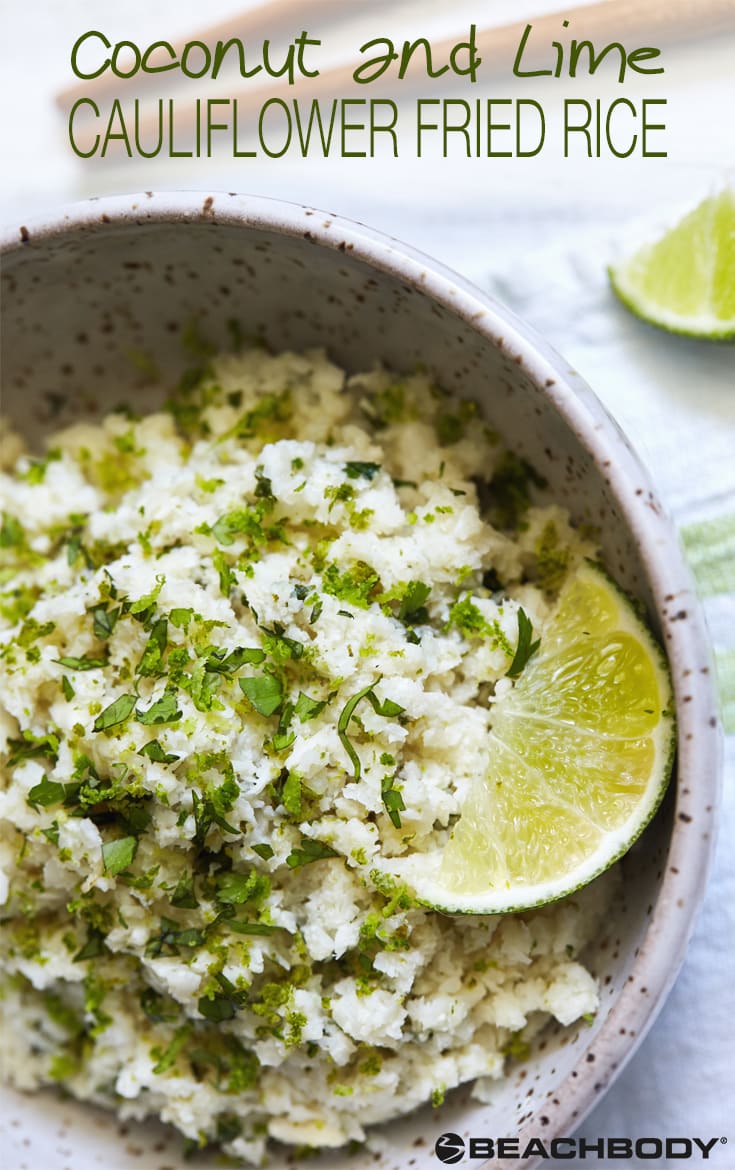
[{"x": 685, "y": 283}]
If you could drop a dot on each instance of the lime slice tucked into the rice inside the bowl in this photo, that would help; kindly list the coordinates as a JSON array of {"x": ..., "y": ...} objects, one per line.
[{"x": 581, "y": 754}]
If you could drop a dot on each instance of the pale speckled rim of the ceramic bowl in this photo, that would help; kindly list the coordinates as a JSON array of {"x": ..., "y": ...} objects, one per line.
[{"x": 699, "y": 735}]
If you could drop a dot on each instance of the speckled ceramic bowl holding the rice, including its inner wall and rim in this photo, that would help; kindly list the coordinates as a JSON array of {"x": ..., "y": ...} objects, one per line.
[{"x": 107, "y": 277}]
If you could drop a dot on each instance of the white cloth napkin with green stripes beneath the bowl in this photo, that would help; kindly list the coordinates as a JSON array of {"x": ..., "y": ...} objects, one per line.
[{"x": 676, "y": 401}]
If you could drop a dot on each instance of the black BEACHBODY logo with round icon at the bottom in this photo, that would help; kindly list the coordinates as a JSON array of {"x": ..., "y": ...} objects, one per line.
[{"x": 451, "y": 1148}]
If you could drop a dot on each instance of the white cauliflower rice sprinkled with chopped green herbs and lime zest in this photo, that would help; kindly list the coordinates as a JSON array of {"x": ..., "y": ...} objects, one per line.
[{"x": 194, "y": 921}]
